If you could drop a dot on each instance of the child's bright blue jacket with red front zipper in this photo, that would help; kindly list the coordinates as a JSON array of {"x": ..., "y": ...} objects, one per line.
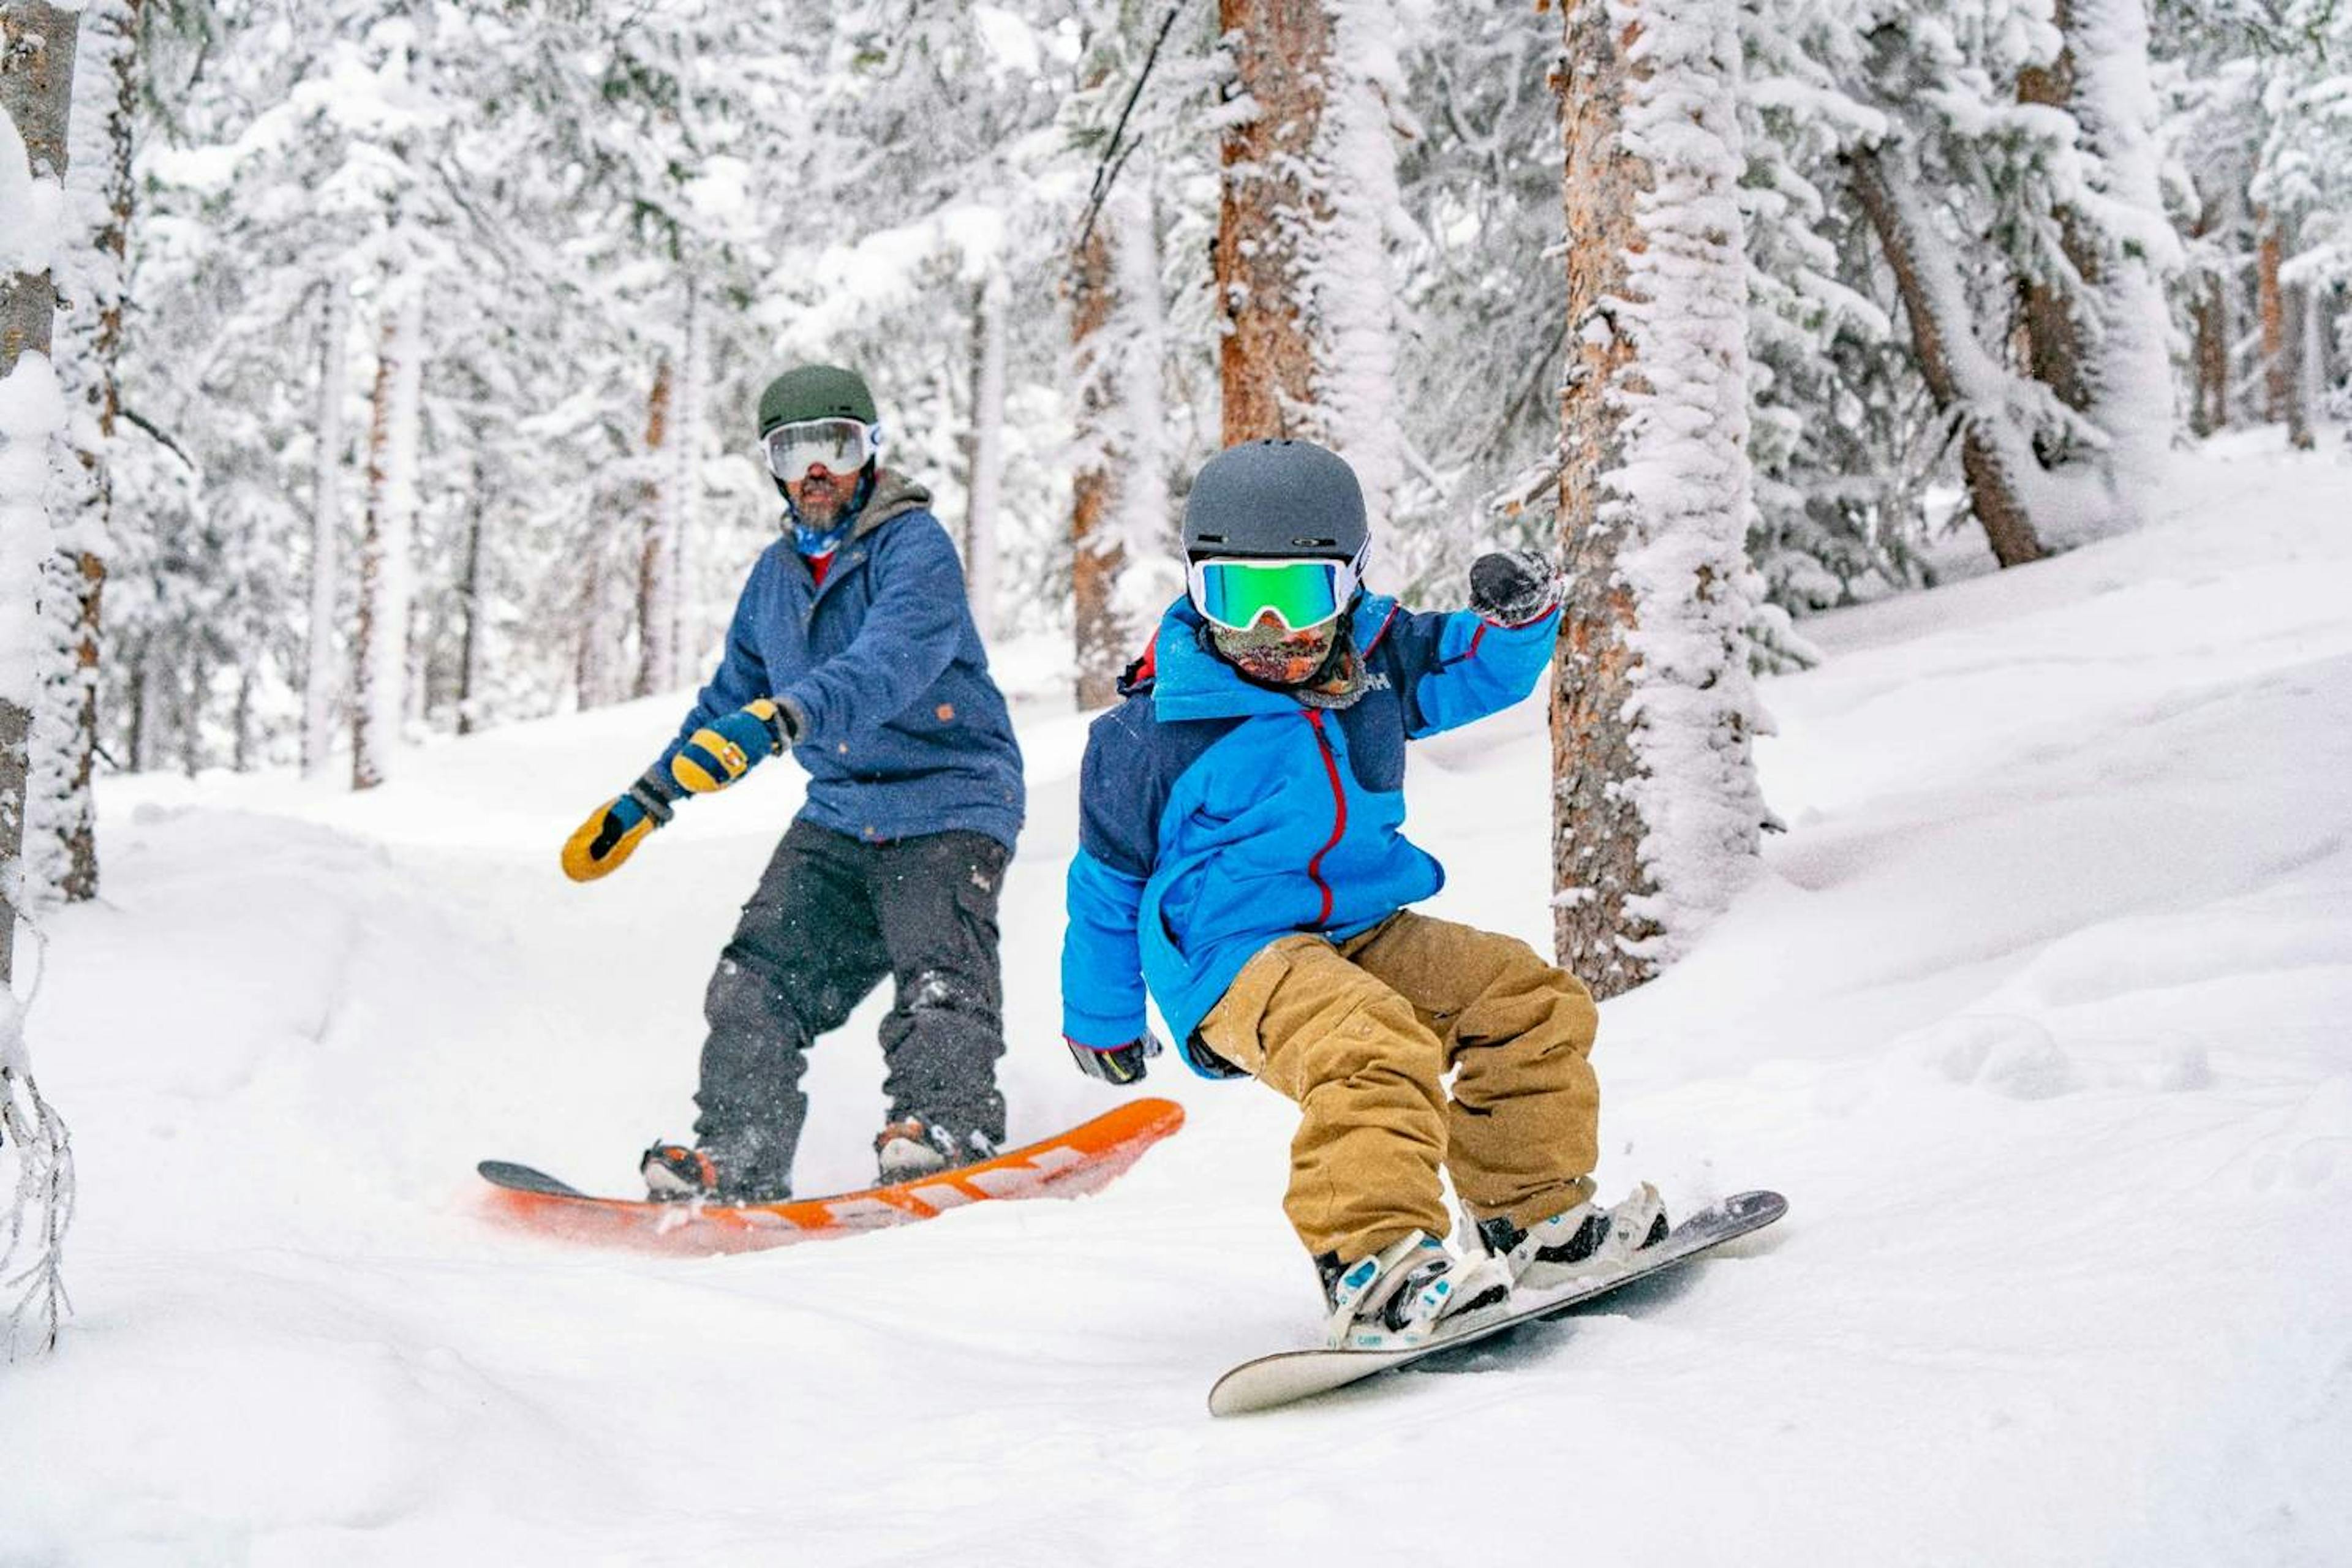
[{"x": 1217, "y": 817}]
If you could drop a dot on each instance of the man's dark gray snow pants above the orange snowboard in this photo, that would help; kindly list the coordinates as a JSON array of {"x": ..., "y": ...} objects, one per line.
[{"x": 831, "y": 918}]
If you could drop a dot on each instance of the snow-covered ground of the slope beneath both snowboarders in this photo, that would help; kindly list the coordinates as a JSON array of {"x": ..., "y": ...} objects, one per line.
[{"x": 2043, "y": 1019}]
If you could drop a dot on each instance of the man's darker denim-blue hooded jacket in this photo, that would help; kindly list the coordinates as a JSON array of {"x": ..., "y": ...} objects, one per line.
[{"x": 907, "y": 732}]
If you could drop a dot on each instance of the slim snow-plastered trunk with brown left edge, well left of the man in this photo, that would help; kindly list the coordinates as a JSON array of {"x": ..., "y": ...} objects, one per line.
[{"x": 380, "y": 697}]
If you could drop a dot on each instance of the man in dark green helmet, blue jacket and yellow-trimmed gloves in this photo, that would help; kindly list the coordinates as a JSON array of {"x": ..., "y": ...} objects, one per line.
[{"x": 855, "y": 648}]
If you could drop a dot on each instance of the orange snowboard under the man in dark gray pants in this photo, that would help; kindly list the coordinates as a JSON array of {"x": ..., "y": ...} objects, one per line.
[{"x": 1067, "y": 1165}]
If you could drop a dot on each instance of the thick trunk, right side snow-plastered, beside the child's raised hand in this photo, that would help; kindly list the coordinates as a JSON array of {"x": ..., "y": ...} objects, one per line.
[{"x": 1657, "y": 810}]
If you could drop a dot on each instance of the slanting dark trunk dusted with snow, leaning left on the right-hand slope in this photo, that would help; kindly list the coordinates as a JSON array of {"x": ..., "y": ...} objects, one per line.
[{"x": 1993, "y": 462}]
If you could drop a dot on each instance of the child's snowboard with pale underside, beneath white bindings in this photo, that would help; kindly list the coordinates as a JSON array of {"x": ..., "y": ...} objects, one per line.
[{"x": 1302, "y": 1374}]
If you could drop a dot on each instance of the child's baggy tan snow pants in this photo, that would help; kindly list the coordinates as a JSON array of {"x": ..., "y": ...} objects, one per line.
[{"x": 1361, "y": 1036}]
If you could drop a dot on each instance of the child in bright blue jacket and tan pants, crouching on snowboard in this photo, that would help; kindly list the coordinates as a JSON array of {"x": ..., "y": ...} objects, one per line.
[{"x": 1243, "y": 862}]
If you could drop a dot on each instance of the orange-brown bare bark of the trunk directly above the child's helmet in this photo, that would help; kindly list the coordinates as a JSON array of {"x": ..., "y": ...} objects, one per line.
[{"x": 1267, "y": 354}]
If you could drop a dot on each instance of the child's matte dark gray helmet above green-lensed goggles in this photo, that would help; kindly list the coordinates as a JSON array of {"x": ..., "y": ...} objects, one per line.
[{"x": 1276, "y": 500}]
